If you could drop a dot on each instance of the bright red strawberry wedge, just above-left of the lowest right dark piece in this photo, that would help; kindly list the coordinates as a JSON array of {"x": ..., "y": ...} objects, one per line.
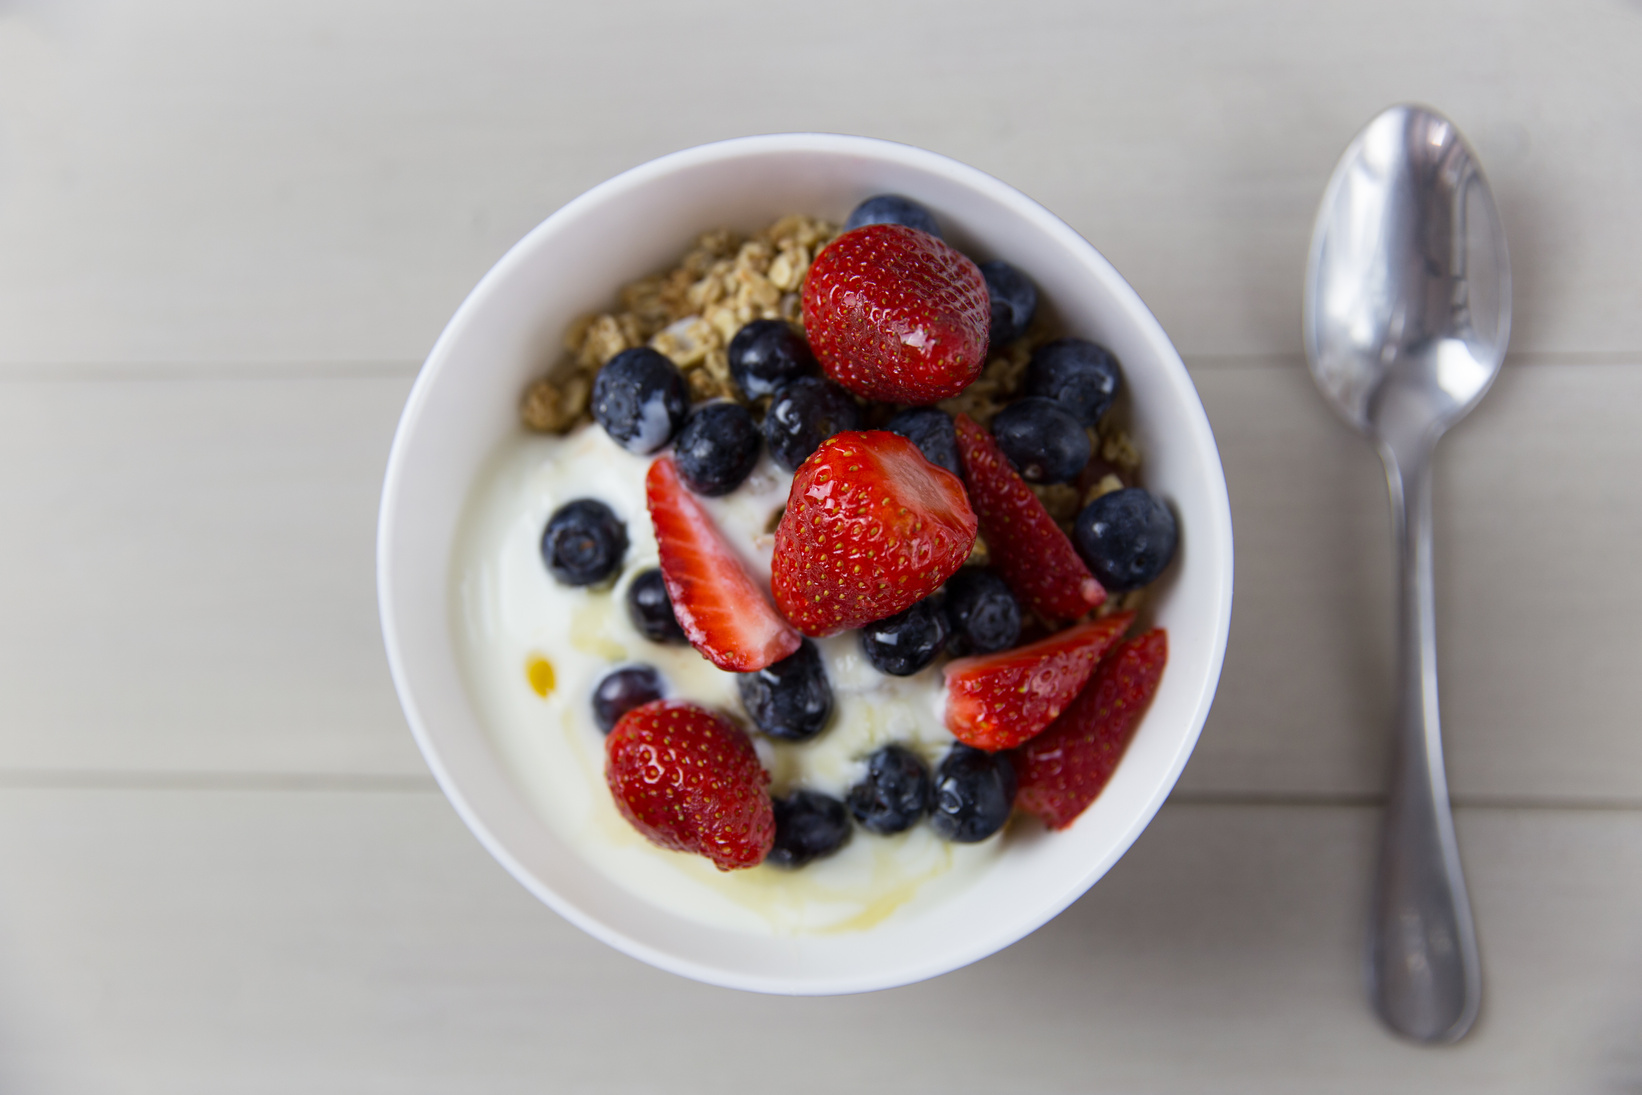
[{"x": 1001, "y": 700}]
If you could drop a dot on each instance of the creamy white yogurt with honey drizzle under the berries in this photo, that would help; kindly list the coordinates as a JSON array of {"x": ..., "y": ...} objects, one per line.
[{"x": 510, "y": 612}]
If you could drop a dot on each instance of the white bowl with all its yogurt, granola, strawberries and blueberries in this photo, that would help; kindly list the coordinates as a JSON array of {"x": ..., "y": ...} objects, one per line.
[{"x": 805, "y": 564}]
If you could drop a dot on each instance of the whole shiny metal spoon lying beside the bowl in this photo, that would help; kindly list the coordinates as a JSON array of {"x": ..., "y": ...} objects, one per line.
[{"x": 1408, "y": 313}]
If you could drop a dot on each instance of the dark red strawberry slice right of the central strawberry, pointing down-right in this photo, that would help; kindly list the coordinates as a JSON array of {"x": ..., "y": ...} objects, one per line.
[{"x": 1027, "y": 547}]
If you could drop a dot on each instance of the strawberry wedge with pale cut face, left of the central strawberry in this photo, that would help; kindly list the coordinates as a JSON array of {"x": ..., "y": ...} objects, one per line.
[{"x": 718, "y": 605}]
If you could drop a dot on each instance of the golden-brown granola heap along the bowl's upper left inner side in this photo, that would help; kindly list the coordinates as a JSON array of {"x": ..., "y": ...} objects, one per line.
[{"x": 689, "y": 314}]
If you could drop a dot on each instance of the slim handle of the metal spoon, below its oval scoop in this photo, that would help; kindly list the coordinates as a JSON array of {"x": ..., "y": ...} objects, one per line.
[{"x": 1423, "y": 964}]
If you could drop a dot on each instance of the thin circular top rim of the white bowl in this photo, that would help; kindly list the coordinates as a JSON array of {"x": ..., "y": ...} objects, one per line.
[{"x": 1219, "y": 541}]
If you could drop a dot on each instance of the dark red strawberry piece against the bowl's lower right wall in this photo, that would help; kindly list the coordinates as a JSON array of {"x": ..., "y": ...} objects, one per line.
[{"x": 1065, "y": 769}]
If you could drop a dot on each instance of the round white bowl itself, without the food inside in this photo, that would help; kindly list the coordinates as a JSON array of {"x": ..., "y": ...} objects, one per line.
[{"x": 466, "y": 405}]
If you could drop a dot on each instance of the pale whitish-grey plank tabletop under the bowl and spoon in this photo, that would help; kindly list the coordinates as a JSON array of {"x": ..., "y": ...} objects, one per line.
[{"x": 229, "y": 234}]
